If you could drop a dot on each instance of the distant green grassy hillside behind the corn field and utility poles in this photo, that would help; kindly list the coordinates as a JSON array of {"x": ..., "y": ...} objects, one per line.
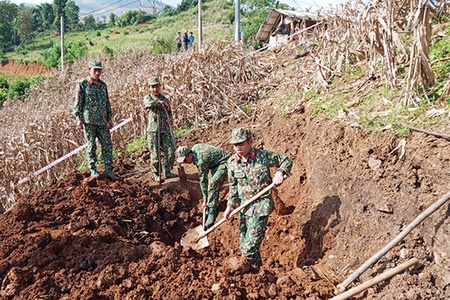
[{"x": 157, "y": 36}]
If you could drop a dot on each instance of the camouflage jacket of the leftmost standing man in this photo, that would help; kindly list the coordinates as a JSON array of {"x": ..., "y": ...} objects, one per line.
[{"x": 92, "y": 104}]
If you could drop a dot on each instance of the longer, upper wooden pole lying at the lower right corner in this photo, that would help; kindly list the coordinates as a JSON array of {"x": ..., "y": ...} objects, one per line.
[{"x": 343, "y": 286}]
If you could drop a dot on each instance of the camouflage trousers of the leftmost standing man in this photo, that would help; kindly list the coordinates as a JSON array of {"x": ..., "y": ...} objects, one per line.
[{"x": 100, "y": 132}]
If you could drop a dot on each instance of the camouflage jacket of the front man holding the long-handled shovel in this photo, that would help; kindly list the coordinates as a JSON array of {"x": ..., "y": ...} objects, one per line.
[{"x": 247, "y": 178}]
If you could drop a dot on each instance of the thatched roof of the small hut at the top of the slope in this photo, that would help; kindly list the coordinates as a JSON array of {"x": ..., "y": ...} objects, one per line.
[{"x": 274, "y": 18}]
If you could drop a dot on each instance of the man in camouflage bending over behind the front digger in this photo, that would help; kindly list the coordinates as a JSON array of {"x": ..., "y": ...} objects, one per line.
[{"x": 211, "y": 163}]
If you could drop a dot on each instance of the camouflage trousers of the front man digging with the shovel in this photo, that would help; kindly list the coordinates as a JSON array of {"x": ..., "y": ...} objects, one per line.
[{"x": 252, "y": 230}]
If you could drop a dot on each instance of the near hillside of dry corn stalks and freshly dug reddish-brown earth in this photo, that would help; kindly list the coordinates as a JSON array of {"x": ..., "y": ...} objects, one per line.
[{"x": 360, "y": 177}]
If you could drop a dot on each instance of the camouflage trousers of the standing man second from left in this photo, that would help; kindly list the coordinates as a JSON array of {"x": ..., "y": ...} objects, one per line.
[{"x": 167, "y": 147}]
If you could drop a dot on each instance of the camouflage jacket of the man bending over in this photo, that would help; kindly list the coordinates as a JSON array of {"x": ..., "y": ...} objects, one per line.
[{"x": 207, "y": 157}]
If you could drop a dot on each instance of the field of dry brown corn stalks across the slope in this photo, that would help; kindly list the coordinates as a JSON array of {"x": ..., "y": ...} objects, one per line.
[{"x": 216, "y": 82}]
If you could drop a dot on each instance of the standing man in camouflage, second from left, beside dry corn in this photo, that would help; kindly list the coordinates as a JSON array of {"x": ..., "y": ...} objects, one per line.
[{"x": 159, "y": 122}]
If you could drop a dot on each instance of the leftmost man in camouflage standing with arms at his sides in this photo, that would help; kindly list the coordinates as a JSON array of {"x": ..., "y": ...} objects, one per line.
[{"x": 93, "y": 112}]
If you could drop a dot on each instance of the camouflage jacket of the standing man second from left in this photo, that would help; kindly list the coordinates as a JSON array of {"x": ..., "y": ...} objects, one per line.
[{"x": 155, "y": 109}]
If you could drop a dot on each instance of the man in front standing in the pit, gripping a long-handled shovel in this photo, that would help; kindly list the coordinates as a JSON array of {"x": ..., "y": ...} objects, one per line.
[{"x": 248, "y": 174}]
